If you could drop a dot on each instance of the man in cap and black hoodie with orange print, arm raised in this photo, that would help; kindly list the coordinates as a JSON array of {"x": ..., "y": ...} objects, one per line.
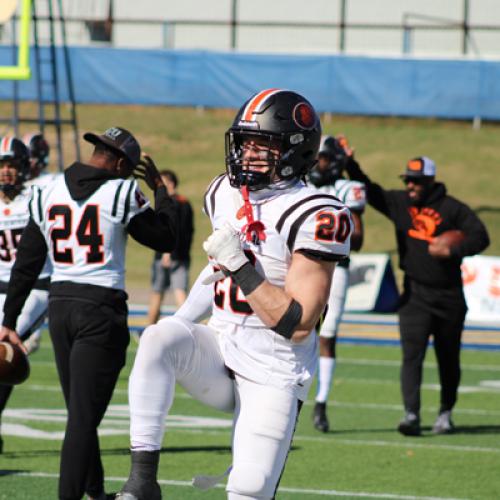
[{"x": 432, "y": 302}]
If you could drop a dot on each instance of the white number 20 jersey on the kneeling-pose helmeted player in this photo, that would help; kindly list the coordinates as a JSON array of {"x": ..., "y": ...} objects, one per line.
[{"x": 298, "y": 218}]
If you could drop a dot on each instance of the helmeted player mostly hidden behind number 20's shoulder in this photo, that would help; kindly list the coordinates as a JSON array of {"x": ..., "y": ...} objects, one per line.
[{"x": 327, "y": 177}]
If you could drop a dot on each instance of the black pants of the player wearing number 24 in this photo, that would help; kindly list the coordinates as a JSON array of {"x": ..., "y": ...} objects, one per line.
[{"x": 90, "y": 342}]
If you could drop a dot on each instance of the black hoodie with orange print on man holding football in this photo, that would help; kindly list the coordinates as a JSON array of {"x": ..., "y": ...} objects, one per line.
[{"x": 416, "y": 225}]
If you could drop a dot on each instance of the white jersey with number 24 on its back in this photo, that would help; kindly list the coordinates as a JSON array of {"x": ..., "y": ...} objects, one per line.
[{"x": 86, "y": 240}]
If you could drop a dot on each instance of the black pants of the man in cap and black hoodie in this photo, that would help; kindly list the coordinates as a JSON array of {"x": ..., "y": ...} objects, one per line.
[{"x": 424, "y": 312}]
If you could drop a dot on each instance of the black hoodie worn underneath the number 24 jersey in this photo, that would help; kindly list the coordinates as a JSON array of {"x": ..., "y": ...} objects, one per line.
[{"x": 156, "y": 229}]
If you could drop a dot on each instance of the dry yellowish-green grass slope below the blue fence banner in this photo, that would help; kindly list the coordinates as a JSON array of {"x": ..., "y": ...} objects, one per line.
[{"x": 191, "y": 142}]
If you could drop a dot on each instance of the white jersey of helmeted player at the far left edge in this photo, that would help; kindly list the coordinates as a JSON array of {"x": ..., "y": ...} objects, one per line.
[{"x": 13, "y": 218}]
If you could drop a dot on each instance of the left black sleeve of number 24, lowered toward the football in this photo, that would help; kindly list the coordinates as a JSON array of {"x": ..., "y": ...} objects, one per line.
[{"x": 30, "y": 258}]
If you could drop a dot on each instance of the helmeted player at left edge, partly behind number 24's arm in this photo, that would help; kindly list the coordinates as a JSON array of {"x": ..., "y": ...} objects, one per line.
[{"x": 14, "y": 215}]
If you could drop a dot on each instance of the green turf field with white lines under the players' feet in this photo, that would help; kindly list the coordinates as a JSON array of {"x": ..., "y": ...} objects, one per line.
[{"x": 362, "y": 454}]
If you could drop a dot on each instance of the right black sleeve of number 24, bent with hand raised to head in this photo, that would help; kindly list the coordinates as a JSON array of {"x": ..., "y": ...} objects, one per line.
[{"x": 157, "y": 229}]
